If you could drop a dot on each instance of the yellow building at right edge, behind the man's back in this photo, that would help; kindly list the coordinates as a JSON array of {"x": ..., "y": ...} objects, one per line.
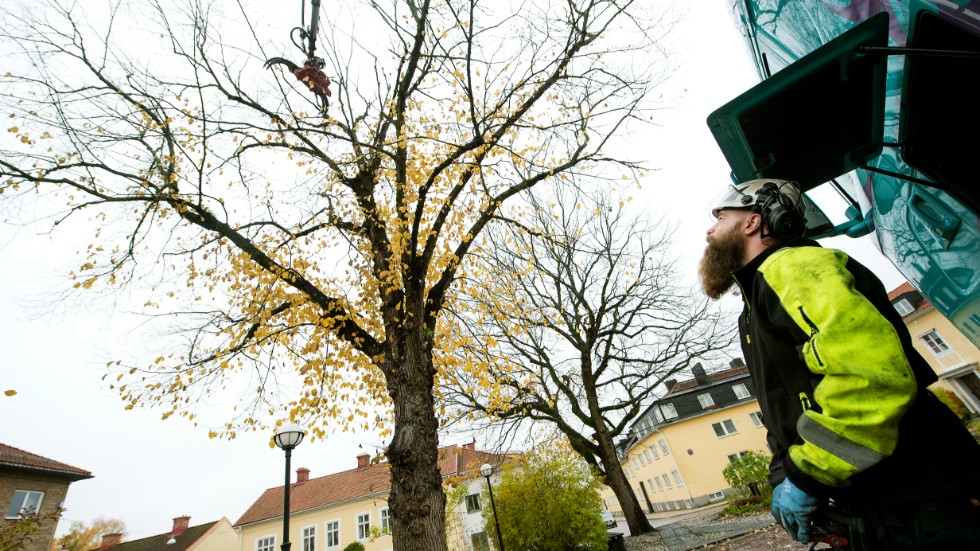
[{"x": 950, "y": 354}]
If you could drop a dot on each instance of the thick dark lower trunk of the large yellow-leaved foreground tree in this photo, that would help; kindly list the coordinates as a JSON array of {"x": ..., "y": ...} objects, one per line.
[{"x": 416, "y": 502}]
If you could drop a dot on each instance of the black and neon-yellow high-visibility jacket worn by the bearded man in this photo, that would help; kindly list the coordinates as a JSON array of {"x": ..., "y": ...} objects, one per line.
[{"x": 839, "y": 384}]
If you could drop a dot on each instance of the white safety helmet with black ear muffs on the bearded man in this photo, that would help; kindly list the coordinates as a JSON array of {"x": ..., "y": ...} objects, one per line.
[{"x": 778, "y": 201}]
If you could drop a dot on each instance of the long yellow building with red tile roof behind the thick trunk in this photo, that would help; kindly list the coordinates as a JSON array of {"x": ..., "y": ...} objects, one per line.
[{"x": 330, "y": 512}]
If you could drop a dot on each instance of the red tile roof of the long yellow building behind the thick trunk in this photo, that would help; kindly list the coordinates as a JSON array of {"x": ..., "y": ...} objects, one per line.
[{"x": 355, "y": 483}]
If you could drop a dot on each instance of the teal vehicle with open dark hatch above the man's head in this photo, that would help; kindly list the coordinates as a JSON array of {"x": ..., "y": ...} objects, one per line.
[{"x": 877, "y": 101}]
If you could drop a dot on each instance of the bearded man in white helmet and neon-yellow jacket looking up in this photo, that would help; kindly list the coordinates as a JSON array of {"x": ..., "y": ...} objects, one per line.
[{"x": 851, "y": 426}]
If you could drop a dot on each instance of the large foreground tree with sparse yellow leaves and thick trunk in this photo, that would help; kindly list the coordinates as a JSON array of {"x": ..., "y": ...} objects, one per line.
[{"x": 261, "y": 230}]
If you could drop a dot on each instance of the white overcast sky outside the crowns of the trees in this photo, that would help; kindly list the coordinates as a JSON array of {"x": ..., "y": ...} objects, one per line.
[{"x": 148, "y": 471}]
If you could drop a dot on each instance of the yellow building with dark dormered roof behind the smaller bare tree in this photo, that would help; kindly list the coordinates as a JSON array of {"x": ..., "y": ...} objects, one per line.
[{"x": 677, "y": 450}]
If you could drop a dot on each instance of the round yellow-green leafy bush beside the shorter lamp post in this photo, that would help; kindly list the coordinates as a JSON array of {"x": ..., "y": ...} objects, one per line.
[{"x": 547, "y": 502}]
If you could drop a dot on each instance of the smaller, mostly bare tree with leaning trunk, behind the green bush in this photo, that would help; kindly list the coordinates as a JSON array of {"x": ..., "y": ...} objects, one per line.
[{"x": 587, "y": 316}]
